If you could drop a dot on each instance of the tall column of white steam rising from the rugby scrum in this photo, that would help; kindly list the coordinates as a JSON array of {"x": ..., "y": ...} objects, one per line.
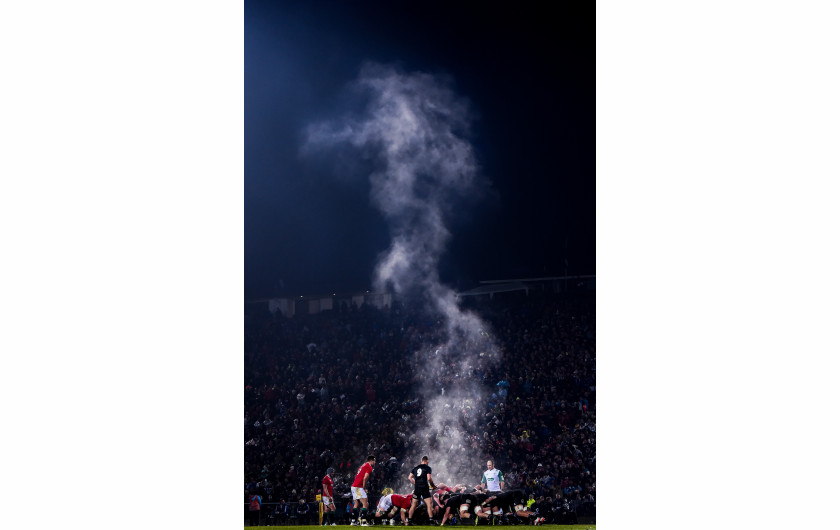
[{"x": 415, "y": 128}]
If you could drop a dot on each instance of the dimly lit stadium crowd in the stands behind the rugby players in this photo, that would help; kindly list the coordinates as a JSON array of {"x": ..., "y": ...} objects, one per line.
[{"x": 324, "y": 390}]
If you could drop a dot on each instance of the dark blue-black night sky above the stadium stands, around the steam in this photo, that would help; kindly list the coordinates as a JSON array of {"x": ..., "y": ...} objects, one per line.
[{"x": 529, "y": 75}]
